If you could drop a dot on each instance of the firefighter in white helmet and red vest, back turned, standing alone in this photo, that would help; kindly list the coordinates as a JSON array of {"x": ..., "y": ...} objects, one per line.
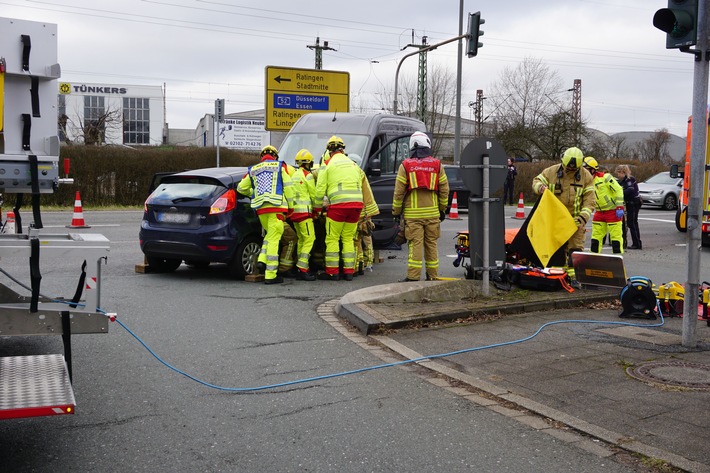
[{"x": 421, "y": 193}]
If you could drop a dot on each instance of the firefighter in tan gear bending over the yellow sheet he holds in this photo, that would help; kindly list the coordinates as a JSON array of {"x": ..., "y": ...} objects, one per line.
[{"x": 574, "y": 187}]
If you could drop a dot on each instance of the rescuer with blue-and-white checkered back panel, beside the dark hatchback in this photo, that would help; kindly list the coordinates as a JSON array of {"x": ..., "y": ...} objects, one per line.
[{"x": 269, "y": 185}]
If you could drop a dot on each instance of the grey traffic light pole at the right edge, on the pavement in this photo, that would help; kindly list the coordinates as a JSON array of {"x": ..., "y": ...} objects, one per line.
[{"x": 697, "y": 172}]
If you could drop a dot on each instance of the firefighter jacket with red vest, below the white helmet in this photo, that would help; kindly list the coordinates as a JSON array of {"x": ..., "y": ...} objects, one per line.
[{"x": 421, "y": 189}]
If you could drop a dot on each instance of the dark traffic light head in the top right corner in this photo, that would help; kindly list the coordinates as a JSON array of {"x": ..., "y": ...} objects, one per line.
[{"x": 679, "y": 21}]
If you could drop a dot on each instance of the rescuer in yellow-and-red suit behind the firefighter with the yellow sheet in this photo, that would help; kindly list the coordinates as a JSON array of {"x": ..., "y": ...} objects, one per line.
[{"x": 609, "y": 214}]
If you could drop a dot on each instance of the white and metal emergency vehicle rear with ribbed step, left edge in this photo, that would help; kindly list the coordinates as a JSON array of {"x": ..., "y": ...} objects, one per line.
[{"x": 39, "y": 385}]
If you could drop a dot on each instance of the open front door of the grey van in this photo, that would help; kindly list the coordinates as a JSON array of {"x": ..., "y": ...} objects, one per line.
[{"x": 381, "y": 171}]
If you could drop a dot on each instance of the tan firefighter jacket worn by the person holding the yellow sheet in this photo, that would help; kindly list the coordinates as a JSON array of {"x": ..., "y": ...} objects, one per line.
[{"x": 574, "y": 189}]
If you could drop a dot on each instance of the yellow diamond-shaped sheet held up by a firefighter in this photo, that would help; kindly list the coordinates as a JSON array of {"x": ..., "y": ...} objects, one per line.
[{"x": 549, "y": 227}]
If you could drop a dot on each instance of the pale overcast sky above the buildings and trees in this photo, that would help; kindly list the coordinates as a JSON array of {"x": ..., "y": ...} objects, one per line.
[{"x": 208, "y": 49}]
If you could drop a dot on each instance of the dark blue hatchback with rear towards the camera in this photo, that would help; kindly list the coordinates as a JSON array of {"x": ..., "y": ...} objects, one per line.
[{"x": 198, "y": 217}]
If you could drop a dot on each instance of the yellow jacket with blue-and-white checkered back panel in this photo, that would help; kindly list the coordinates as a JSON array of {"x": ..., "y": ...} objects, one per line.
[{"x": 269, "y": 186}]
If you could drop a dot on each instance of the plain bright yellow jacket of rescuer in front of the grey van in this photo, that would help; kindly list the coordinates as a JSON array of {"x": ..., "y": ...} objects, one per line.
[{"x": 341, "y": 181}]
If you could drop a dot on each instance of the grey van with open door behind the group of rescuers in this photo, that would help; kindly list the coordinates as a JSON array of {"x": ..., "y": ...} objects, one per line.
[{"x": 379, "y": 142}]
